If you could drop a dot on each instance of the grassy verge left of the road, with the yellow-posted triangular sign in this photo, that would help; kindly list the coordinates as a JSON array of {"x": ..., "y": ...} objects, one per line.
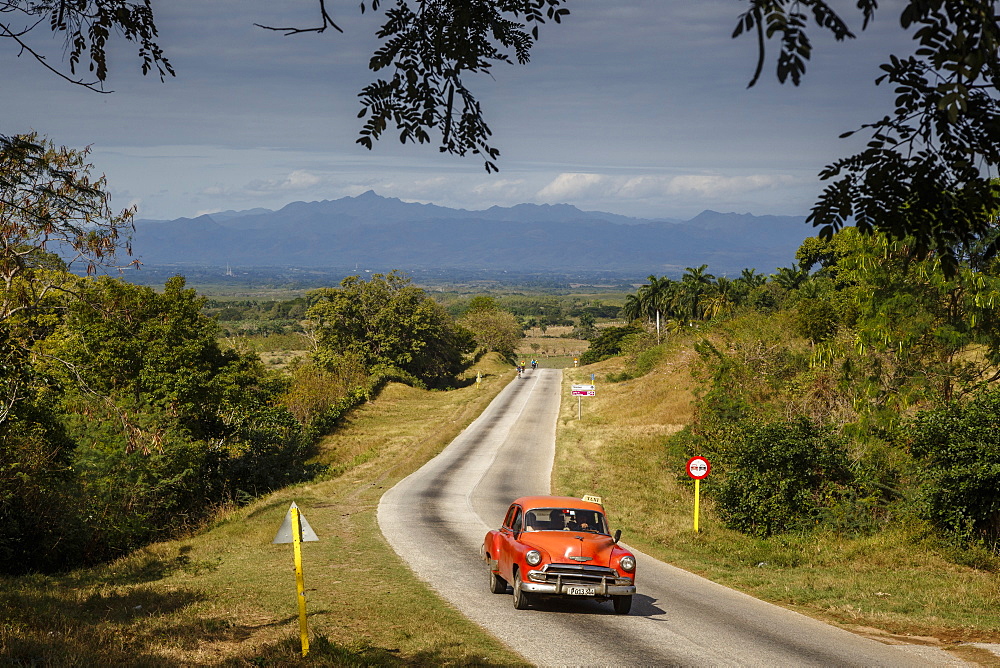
[{"x": 226, "y": 596}]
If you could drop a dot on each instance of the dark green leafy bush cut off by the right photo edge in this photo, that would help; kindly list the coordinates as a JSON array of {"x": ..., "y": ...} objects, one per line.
[{"x": 959, "y": 445}]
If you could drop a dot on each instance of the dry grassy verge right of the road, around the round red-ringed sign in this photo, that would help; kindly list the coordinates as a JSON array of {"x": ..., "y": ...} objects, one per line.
[{"x": 884, "y": 585}]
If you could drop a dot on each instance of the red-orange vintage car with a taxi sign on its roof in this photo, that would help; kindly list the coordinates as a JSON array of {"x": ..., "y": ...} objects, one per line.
[{"x": 559, "y": 546}]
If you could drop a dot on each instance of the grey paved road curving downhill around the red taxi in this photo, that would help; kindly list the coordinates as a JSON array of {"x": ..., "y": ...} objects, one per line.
[{"x": 436, "y": 519}]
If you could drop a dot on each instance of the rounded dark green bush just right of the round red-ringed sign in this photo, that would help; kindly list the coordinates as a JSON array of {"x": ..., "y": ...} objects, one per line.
[{"x": 780, "y": 476}]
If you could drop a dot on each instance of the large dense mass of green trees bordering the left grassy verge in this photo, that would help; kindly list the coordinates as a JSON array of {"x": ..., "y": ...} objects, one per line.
[{"x": 135, "y": 425}]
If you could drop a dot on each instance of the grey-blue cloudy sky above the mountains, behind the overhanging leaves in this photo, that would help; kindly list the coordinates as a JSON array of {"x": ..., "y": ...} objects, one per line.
[{"x": 637, "y": 107}]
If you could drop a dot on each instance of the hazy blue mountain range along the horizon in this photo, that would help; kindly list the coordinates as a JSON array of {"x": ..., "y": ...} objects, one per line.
[{"x": 382, "y": 233}]
